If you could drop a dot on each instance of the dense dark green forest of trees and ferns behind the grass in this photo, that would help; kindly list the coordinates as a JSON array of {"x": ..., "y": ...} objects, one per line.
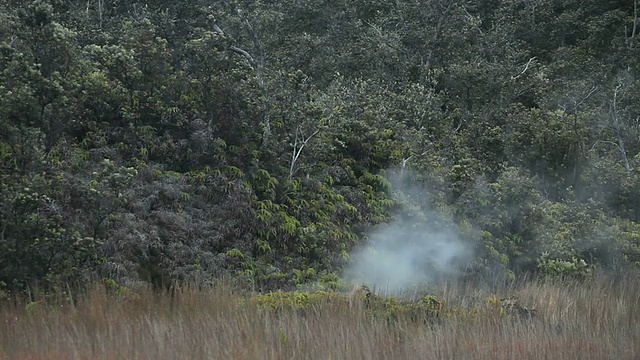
[{"x": 266, "y": 140}]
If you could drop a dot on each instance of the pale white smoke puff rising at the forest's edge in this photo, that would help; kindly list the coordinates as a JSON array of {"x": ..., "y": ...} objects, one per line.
[{"x": 407, "y": 253}]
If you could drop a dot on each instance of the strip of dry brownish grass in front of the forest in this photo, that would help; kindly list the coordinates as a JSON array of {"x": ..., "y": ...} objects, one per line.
[{"x": 595, "y": 319}]
